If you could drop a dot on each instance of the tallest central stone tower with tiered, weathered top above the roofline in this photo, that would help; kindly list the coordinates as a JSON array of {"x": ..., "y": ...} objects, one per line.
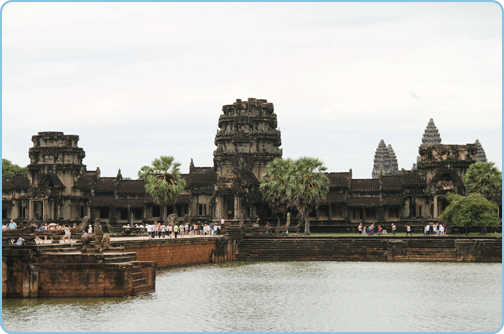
[{"x": 247, "y": 138}]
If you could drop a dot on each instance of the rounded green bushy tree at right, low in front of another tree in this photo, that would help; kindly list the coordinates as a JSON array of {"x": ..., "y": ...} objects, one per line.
[{"x": 473, "y": 210}]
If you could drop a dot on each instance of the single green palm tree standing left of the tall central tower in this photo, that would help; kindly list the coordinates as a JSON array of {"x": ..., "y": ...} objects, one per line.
[{"x": 164, "y": 183}]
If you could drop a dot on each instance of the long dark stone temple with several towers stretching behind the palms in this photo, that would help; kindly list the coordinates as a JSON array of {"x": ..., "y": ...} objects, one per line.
[{"x": 59, "y": 188}]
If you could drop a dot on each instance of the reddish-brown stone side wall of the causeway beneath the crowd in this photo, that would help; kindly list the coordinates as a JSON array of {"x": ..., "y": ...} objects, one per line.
[{"x": 169, "y": 253}]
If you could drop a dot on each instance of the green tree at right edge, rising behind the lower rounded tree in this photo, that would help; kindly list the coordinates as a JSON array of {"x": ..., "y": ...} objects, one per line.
[{"x": 485, "y": 179}]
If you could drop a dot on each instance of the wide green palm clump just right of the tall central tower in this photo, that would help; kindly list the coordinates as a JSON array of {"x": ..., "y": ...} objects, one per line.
[{"x": 300, "y": 184}]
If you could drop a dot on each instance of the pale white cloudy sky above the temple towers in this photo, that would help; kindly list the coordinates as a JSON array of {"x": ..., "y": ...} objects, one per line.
[{"x": 139, "y": 80}]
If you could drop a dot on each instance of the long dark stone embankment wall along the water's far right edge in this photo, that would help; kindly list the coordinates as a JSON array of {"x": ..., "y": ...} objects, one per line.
[{"x": 441, "y": 249}]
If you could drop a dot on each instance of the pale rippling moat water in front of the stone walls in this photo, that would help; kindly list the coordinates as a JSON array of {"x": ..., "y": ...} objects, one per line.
[{"x": 285, "y": 296}]
